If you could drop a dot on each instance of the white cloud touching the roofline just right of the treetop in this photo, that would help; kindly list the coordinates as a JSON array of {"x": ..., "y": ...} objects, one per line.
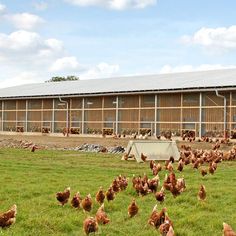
[{"x": 102, "y": 70}]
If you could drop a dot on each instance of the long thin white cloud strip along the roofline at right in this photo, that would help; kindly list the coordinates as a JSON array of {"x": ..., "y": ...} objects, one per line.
[{"x": 189, "y": 68}]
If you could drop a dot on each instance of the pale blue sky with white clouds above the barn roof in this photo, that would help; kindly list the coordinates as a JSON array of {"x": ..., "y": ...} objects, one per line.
[{"x": 93, "y": 39}]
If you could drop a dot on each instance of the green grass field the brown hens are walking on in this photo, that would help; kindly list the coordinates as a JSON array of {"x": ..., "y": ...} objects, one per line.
[{"x": 31, "y": 180}]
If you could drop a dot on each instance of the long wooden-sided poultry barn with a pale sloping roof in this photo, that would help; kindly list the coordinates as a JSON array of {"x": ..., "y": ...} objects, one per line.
[{"x": 202, "y": 102}]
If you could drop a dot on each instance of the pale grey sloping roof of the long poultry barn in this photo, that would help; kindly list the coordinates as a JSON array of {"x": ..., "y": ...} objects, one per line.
[{"x": 159, "y": 82}]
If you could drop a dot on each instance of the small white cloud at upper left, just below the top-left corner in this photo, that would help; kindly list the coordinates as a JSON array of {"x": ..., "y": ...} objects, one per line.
[{"x": 25, "y": 21}]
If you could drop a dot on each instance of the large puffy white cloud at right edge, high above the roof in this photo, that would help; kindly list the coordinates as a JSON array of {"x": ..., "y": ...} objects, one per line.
[{"x": 215, "y": 38}]
